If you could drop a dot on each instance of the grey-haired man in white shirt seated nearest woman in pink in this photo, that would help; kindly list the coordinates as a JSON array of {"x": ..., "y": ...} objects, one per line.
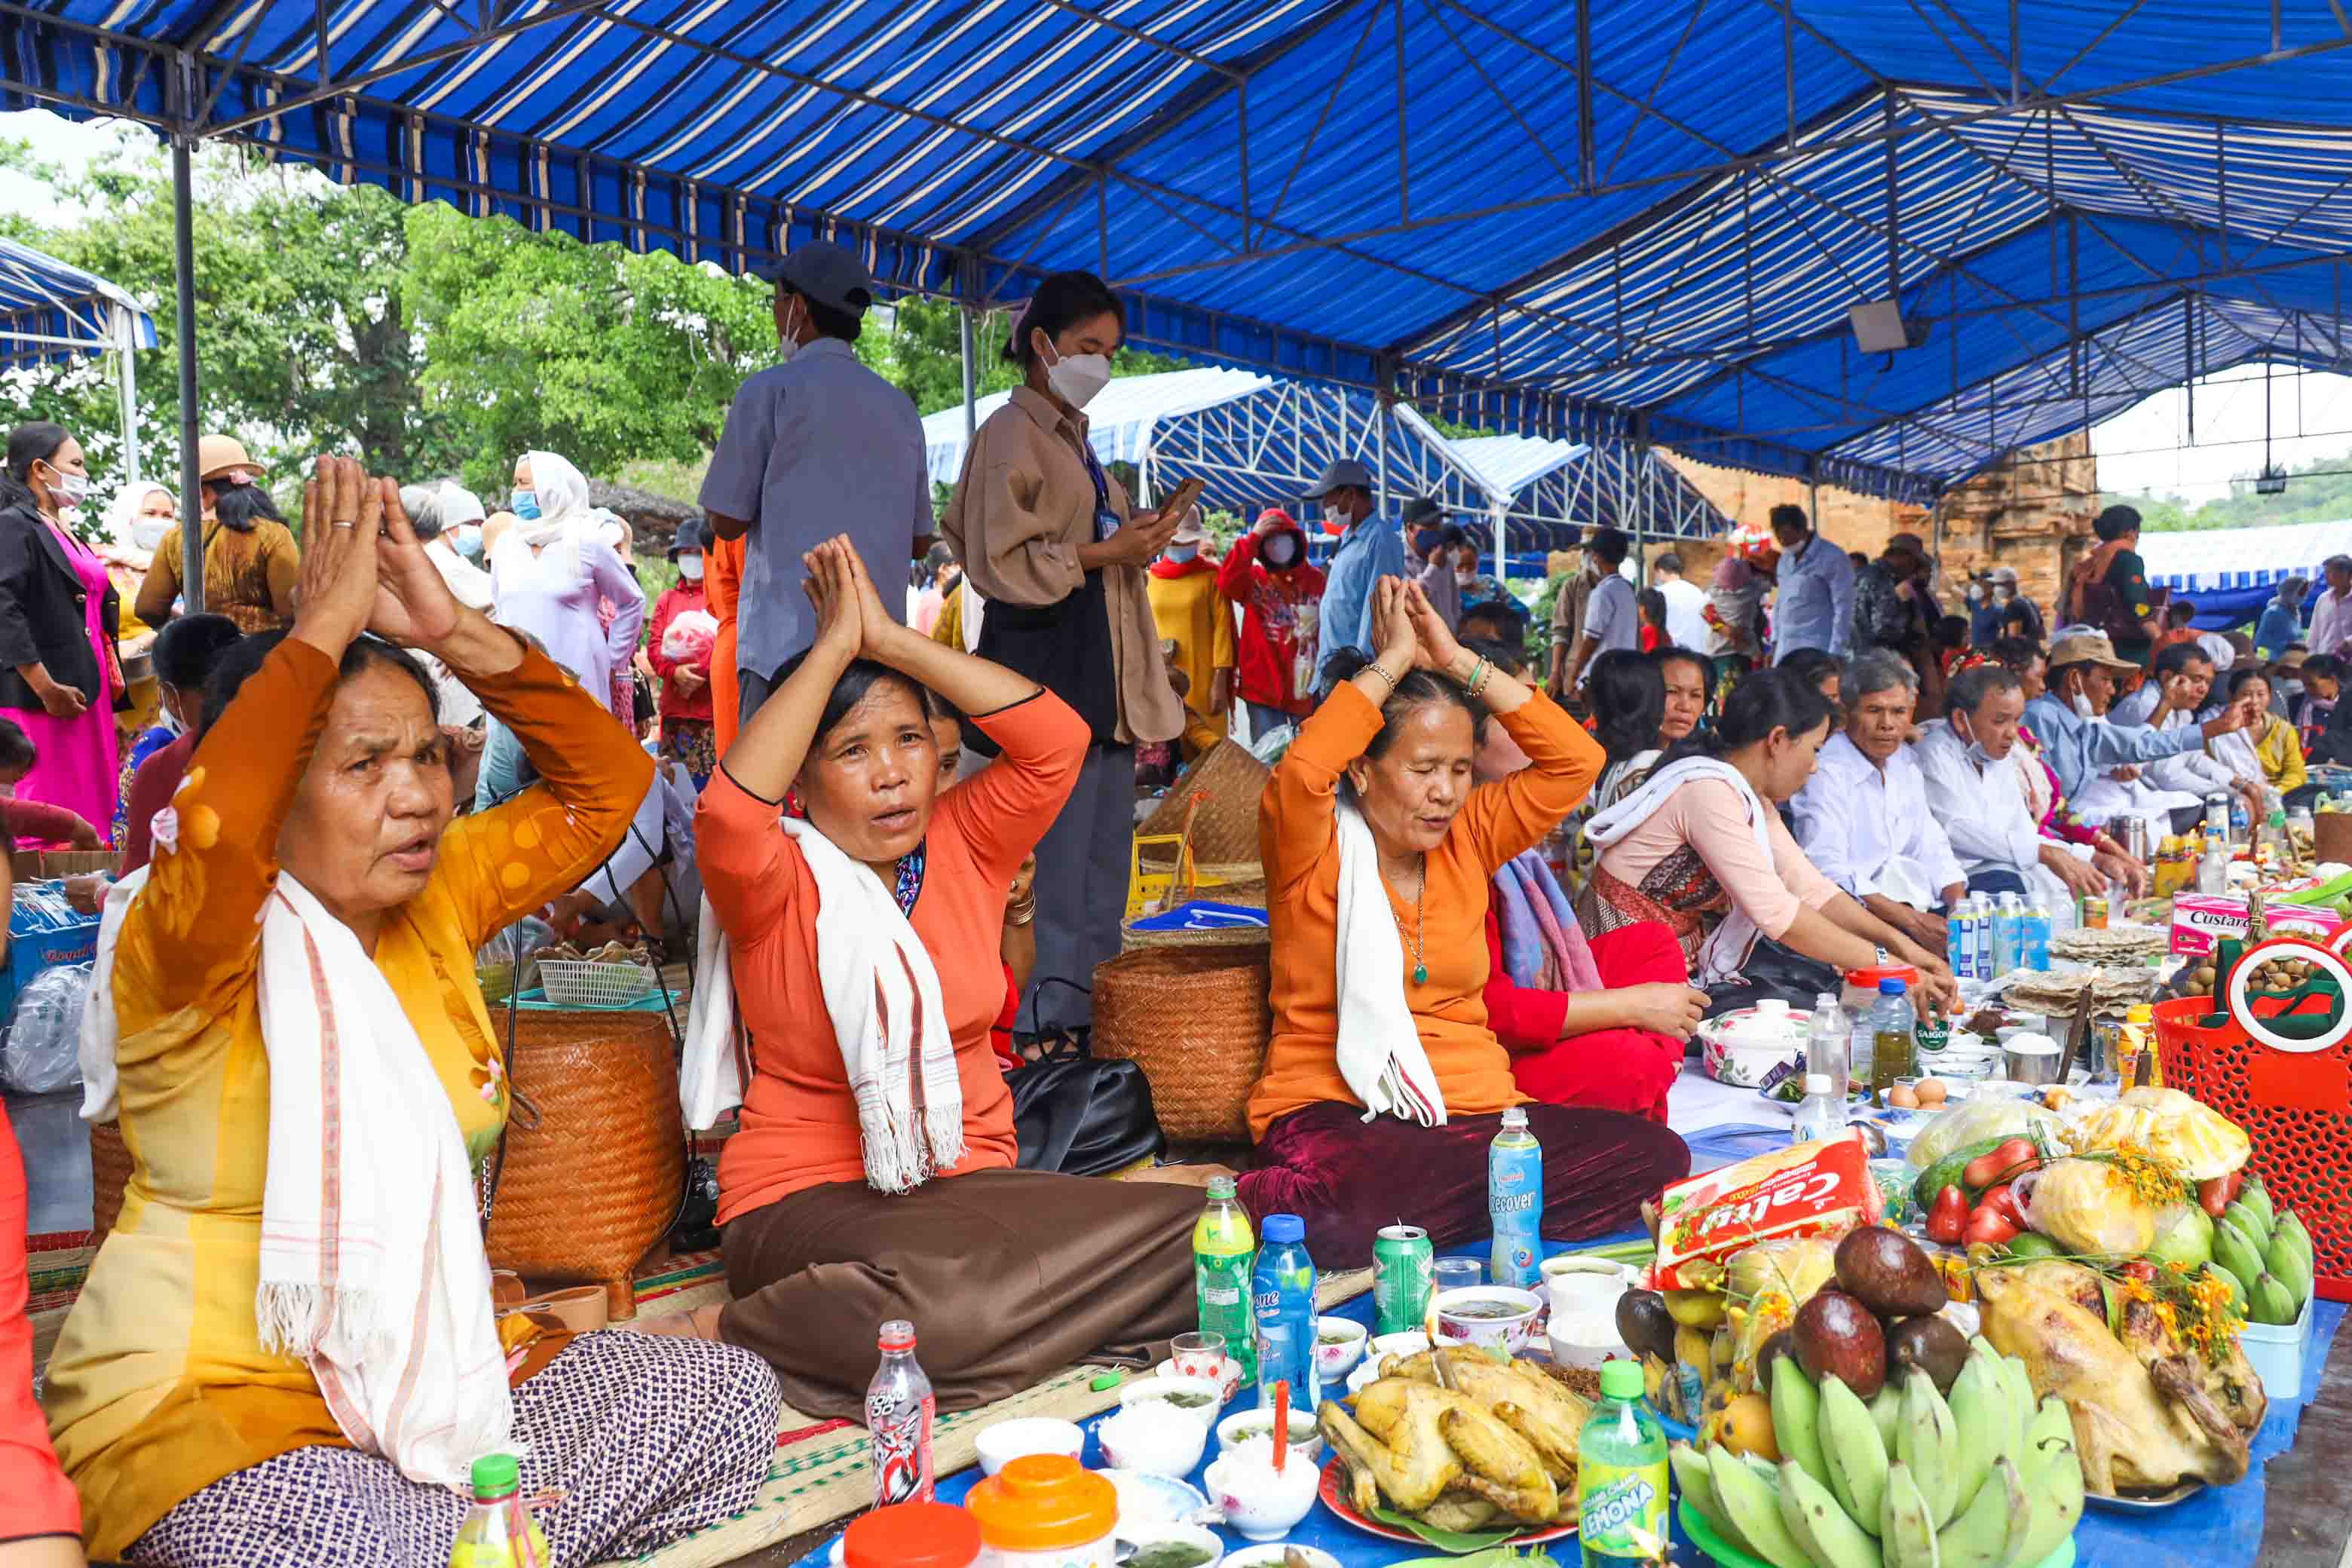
[{"x": 1864, "y": 815}]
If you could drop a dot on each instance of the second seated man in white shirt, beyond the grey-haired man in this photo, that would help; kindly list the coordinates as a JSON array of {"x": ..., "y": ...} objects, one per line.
[{"x": 1970, "y": 765}]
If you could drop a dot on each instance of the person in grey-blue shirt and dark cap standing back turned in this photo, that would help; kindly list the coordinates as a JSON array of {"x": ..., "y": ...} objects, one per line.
[{"x": 815, "y": 448}]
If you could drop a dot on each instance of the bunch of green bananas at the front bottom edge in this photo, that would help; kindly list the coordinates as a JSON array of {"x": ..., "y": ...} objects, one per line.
[{"x": 1916, "y": 1480}]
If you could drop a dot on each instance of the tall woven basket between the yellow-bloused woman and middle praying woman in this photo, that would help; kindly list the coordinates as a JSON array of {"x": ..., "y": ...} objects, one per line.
[{"x": 589, "y": 1193}]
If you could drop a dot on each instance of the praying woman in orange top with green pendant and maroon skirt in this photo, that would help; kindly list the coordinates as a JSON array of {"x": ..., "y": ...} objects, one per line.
[{"x": 1379, "y": 852}]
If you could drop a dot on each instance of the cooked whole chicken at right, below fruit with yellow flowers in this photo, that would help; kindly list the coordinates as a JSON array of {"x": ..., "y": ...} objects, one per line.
[{"x": 2146, "y": 1419}]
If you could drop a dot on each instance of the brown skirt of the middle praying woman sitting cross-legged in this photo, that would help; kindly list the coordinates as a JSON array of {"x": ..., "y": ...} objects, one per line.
[{"x": 1008, "y": 1278}]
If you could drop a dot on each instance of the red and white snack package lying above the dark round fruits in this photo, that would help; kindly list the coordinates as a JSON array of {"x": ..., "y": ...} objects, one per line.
[{"x": 1803, "y": 1191}]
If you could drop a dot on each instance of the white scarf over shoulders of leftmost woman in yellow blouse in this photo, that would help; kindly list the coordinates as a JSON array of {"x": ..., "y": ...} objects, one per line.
[{"x": 373, "y": 1266}]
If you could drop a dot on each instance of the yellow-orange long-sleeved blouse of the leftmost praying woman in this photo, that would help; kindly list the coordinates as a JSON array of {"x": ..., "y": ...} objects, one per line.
[{"x": 159, "y": 1386}]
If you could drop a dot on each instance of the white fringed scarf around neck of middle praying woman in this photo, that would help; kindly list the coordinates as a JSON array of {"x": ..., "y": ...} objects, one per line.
[{"x": 888, "y": 1019}]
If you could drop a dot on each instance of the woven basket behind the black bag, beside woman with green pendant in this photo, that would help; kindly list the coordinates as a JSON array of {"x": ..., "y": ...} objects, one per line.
[{"x": 1196, "y": 1019}]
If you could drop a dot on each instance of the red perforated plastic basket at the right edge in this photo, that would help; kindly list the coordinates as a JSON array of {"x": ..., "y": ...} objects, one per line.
[{"x": 2294, "y": 1106}]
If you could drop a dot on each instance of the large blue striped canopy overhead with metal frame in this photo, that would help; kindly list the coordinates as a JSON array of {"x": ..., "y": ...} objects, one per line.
[{"x": 1577, "y": 220}]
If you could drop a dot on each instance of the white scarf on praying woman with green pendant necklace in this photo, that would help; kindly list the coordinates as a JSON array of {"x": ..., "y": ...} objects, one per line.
[{"x": 1379, "y": 1047}]
